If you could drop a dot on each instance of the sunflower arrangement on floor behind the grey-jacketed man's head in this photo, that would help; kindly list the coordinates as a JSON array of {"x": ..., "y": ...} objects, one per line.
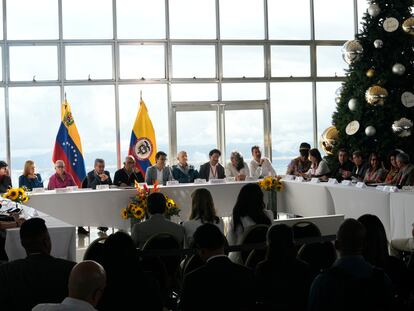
[{"x": 137, "y": 207}]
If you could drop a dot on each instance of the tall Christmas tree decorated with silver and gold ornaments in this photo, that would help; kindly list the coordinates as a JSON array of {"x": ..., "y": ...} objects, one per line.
[{"x": 375, "y": 105}]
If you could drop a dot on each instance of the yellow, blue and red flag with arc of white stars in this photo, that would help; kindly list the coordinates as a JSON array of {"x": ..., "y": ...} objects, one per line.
[{"x": 68, "y": 146}]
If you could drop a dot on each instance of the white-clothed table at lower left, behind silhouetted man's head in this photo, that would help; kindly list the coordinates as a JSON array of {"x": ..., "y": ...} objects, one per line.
[{"x": 62, "y": 235}]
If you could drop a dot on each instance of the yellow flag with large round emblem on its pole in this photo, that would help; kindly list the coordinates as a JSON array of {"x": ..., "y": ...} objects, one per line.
[{"x": 143, "y": 146}]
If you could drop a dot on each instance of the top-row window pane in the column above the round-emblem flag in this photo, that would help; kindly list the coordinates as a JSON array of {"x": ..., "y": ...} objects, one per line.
[{"x": 140, "y": 19}]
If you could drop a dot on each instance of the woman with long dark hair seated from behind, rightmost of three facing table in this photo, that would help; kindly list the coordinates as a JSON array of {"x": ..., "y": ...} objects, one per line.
[{"x": 249, "y": 210}]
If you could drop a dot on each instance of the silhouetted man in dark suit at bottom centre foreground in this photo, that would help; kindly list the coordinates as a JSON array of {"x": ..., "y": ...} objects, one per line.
[{"x": 219, "y": 284}]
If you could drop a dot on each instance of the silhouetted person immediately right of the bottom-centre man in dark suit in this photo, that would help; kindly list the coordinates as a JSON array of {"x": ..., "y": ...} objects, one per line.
[{"x": 284, "y": 288}]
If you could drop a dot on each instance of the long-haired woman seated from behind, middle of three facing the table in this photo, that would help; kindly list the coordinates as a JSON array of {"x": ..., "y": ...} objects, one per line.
[{"x": 202, "y": 211}]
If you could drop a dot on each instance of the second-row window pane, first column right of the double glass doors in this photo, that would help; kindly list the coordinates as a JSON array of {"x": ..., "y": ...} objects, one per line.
[{"x": 290, "y": 61}]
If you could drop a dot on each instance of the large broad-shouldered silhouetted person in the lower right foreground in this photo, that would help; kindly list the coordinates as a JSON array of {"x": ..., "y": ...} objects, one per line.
[{"x": 352, "y": 283}]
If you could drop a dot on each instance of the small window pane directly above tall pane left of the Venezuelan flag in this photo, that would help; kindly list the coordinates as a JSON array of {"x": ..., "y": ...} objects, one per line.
[{"x": 33, "y": 63}]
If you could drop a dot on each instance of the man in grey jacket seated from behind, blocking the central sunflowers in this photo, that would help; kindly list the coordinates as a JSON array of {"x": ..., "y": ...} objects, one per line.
[{"x": 156, "y": 205}]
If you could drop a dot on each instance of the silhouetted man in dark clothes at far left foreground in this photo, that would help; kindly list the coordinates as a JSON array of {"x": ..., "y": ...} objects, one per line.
[{"x": 39, "y": 278}]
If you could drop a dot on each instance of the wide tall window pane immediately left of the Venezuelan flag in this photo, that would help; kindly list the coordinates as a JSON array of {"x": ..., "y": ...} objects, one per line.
[{"x": 35, "y": 119}]
